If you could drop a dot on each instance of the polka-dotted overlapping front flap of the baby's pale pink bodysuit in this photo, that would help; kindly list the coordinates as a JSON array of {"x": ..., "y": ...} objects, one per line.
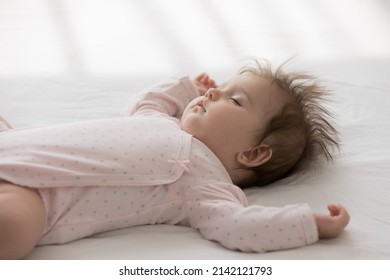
[{"x": 106, "y": 152}]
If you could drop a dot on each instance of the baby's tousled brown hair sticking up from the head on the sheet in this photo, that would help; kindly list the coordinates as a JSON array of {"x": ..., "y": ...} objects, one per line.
[{"x": 302, "y": 132}]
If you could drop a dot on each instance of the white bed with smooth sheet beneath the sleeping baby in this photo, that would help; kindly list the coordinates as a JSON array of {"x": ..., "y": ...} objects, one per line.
[{"x": 64, "y": 61}]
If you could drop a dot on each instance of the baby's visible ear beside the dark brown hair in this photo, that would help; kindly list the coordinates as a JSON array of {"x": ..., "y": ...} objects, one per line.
[{"x": 255, "y": 156}]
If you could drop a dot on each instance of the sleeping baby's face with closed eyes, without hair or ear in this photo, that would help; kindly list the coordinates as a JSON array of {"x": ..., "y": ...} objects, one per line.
[{"x": 234, "y": 115}]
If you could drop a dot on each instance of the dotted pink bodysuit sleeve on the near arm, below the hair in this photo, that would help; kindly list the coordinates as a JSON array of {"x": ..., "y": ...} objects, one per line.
[{"x": 225, "y": 218}]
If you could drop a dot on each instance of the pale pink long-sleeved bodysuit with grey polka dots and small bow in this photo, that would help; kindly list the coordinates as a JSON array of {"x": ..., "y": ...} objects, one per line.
[{"x": 140, "y": 169}]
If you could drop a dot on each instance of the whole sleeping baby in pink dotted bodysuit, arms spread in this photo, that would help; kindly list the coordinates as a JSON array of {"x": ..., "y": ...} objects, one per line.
[{"x": 181, "y": 156}]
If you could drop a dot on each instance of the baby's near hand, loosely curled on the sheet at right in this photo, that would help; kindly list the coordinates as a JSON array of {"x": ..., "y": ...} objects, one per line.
[{"x": 332, "y": 225}]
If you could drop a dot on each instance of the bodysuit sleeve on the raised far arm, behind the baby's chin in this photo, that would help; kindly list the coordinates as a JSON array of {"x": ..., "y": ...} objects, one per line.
[{"x": 169, "y": 98}]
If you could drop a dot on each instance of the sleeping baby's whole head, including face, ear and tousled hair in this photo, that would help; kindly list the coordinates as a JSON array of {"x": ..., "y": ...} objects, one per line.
[{"x": 263, "y": 124}]
